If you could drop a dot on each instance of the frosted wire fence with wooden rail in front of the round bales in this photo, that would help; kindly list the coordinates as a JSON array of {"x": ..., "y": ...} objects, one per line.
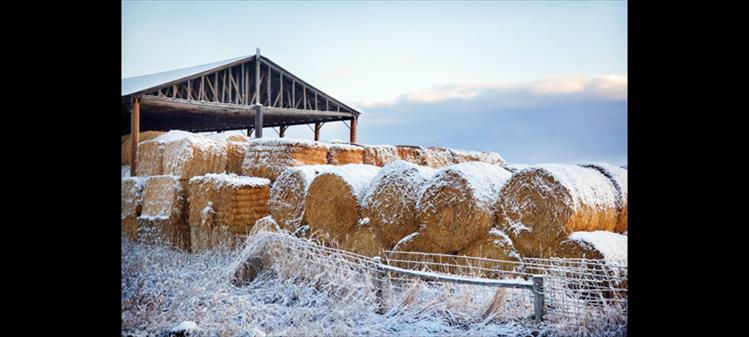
[{"x": 573, "y": 289}]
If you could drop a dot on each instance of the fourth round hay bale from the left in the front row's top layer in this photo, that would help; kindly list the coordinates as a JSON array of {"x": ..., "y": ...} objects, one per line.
[{"x": 458, "y": 204}]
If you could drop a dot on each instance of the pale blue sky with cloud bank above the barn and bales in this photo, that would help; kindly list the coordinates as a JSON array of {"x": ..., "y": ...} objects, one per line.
[{"x": 538, "y": 82}]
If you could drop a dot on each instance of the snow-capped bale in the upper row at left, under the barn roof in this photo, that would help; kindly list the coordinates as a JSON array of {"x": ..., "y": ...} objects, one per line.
[{"x": 187, "y": 155}]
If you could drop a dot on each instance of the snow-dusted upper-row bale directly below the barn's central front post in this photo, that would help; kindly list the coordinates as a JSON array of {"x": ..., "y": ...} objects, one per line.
[{"x": 268, "y": 158}]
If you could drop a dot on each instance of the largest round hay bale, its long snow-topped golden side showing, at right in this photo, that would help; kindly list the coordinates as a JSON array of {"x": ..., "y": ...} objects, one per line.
[{"x": 542, "y": 204}]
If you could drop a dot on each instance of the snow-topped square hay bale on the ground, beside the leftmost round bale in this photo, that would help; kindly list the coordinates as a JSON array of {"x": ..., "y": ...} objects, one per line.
[{"x": 224, "y": 207}]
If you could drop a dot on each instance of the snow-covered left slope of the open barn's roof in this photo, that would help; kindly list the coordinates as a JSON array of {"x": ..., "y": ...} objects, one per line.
[{"x": 138, "y": 83}]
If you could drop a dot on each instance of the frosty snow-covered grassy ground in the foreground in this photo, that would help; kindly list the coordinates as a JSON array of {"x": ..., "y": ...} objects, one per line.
[{"x": 165, "y": 291}]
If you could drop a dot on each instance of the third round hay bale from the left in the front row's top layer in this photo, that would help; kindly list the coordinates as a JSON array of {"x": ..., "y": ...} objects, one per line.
[{"x": 389, "y": 205}]
